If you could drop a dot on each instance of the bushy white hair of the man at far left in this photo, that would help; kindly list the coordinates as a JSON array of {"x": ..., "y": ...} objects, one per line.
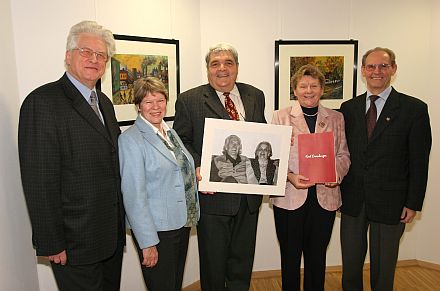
[{"x": 93, "y": 28}]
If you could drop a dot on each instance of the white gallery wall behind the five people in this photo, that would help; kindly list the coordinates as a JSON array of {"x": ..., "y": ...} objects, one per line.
[{"x": 33, "y": 35}]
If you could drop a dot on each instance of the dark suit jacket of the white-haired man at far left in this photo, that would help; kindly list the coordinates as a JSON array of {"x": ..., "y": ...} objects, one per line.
[{"x": 70, "y": 173}]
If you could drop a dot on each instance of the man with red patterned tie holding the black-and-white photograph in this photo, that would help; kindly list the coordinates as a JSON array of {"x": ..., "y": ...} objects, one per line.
[{"x": 228, "y": 222}]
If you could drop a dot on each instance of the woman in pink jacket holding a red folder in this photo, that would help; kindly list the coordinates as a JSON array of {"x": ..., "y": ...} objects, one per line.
[{"x": 304, "y": 217}]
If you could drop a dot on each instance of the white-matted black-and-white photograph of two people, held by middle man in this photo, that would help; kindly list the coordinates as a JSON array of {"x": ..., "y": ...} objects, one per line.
[{"x": 244, "y": 157}]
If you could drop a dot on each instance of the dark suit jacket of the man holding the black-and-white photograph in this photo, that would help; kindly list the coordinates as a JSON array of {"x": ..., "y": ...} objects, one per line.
[{"x": 192, "y": 107}]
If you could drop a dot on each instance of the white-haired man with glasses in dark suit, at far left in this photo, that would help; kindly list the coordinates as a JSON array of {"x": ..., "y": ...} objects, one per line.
[{"x": 70, "y": 169}]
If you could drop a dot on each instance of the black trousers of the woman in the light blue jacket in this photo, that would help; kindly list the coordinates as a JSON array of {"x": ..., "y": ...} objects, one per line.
[{"x": 168, "y": 272}]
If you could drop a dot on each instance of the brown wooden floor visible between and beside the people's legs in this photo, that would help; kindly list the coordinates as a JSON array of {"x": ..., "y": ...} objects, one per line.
[{"x": 410, "y": 276}]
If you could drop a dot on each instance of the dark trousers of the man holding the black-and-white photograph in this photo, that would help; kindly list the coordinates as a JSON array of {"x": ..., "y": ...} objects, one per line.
[{"x": 226, "y": 249}]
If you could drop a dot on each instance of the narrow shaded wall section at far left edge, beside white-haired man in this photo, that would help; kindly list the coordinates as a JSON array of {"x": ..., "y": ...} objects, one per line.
[{"x": 17, "y": 258}]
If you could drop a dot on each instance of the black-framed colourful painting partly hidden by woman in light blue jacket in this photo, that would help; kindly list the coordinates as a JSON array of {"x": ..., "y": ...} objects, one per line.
[{"x": 137, "y": 57}]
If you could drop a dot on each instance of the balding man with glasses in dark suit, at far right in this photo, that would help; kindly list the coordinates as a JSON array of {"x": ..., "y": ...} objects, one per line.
[{"x": 389, "y": 138}]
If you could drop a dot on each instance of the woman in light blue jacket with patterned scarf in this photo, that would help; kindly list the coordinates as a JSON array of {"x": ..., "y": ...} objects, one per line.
[{"x": 159, "y": 189}]
